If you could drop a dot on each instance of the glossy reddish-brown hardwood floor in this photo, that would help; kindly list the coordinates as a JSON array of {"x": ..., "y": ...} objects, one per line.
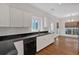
[{"x": 62, "y": 46}]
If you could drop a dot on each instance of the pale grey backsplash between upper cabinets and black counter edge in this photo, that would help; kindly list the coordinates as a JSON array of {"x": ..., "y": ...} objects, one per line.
[{"x": 15, "y": 30}]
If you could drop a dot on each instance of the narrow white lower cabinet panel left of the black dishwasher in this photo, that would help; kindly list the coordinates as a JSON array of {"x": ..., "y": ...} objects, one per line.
[{"x": 19, "y": 47}]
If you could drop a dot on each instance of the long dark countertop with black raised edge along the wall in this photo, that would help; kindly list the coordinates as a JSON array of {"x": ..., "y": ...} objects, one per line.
[{"x": 18, "y": 37}]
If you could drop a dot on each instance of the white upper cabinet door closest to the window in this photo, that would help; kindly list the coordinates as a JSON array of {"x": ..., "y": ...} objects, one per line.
[{"x": 27, "y": 19}]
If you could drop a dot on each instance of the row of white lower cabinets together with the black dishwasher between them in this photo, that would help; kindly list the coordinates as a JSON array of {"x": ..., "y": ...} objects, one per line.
[{"x": 34, "y": 44}]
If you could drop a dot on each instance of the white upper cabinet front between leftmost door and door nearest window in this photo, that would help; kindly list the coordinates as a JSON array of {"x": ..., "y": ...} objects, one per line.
[{"x": 16, "y": 17}]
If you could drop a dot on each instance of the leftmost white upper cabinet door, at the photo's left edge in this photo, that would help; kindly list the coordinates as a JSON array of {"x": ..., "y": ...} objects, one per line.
[{"x": 4, "y": 15}]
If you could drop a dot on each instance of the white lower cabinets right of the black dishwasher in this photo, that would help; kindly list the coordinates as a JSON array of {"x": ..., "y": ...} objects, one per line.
[{"x": 44, "y": 41}]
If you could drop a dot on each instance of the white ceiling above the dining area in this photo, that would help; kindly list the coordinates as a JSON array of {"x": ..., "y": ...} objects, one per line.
[{"x": 59, "y": 9}]
